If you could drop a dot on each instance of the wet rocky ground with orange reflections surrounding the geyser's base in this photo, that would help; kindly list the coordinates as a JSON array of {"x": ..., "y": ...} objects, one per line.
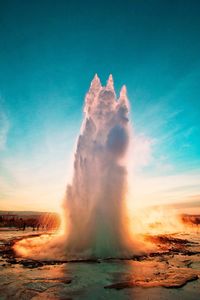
[{"x": 172, "y": 272}]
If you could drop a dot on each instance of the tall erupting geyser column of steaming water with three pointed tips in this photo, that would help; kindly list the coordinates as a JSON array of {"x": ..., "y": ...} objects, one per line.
[{"x": 95, "y": 201}]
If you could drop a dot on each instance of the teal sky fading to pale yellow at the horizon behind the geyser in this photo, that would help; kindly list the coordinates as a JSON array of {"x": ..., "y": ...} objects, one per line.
[{"x": 50, "y": 51}]
